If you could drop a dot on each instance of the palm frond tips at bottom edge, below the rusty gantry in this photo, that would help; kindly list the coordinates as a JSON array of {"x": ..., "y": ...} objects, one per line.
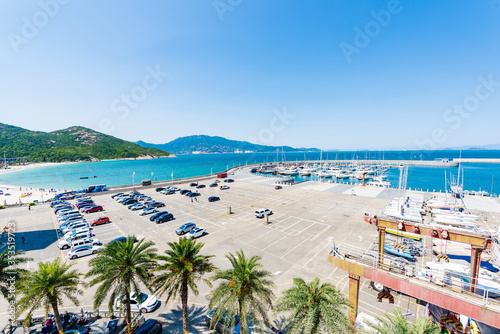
[{"x": 399, "y": 324}]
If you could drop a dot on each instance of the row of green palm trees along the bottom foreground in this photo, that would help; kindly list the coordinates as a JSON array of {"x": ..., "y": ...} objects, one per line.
[{"x": 245, "y": 289}]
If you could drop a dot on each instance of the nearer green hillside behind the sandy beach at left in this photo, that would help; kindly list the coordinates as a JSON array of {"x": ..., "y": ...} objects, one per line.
[{"x": 72, "y": 144}]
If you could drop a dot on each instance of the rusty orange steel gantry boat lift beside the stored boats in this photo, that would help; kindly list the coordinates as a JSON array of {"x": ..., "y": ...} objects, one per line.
[{"x": 382, "y": 271}]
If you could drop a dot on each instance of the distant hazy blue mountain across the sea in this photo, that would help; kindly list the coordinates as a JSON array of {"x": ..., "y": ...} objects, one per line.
[{"x": 214, "y": 144}]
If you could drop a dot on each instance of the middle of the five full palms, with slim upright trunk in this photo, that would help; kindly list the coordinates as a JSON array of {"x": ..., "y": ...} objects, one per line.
[{"x": 184, "y": 267}]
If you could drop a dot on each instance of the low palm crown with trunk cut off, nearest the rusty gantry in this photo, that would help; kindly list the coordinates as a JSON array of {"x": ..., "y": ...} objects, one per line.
[{"x": 314, "y": 308}]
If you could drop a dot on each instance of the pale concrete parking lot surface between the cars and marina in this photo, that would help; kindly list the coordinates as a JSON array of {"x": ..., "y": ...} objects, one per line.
[{"x": 294, "y": 243}]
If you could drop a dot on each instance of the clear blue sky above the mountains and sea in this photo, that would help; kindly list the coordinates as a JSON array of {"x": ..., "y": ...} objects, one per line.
[{"x": 233, "y": 64}]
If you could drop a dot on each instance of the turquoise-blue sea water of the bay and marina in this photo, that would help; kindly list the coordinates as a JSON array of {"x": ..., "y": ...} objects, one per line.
[{"x": 112, "y": 173}]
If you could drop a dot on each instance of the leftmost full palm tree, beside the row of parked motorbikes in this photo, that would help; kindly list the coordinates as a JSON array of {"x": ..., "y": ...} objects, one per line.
[{"x": 47, "y": 286}]
